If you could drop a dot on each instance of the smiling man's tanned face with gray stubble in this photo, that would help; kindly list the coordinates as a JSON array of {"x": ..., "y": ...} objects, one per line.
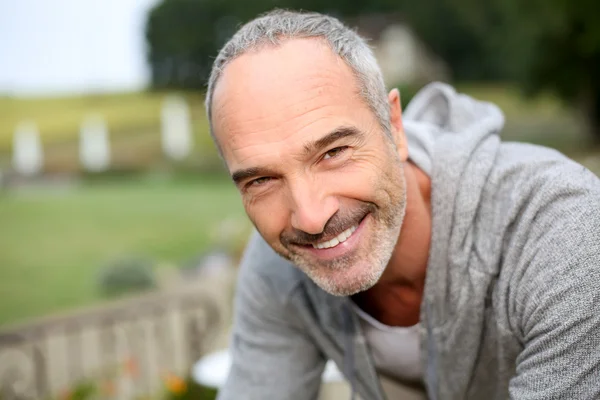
[{"x": 319, "y": 178}]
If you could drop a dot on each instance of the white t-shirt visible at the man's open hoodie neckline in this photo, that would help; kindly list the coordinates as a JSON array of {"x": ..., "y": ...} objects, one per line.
[{"x": 396, "y": 350}]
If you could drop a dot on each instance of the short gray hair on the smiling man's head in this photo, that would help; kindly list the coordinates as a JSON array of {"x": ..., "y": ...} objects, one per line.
[{"x": 279, "y": 25}]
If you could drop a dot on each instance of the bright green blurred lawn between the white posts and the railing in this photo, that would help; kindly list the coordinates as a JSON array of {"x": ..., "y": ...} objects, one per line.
[{"x": 52, "y": 242}]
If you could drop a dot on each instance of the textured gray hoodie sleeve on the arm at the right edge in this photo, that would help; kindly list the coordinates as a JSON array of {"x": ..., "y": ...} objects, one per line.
[{"x": 558, "y": 305}]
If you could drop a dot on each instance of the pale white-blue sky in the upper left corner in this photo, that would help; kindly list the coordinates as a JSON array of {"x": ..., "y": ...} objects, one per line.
[{"x": 61, "y": 47}]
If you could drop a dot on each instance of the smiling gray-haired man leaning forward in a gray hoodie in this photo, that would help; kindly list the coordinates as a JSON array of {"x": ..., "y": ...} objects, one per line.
[{"x": 417, "y": 247}]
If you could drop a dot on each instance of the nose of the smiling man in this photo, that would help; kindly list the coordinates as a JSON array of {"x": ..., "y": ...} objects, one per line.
[{"x": 312, "y": 207}]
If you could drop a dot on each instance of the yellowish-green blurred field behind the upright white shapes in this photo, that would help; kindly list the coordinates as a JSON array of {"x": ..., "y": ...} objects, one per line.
[{"x": 133, "y": 121}]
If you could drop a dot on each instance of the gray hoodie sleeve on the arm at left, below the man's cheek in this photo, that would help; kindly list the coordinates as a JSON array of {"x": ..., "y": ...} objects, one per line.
[{"x": 272, "y": 356}]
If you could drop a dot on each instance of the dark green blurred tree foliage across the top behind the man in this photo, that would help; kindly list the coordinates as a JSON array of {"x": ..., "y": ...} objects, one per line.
[{"x": 543, "y": 44}]
